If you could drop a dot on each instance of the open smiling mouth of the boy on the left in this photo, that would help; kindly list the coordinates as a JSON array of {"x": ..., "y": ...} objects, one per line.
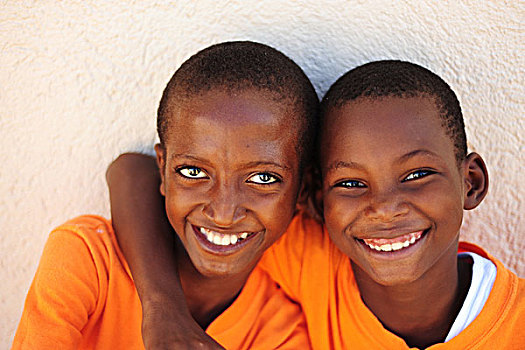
[{"x": 218, "y": 241}]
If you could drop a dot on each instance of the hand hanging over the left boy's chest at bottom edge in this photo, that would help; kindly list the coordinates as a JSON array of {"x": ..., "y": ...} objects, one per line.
[{"x": 163, "y": 330}]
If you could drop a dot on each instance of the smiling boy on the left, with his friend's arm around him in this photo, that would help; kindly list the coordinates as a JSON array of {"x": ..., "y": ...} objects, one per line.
[{"x": 235, "y": 124}]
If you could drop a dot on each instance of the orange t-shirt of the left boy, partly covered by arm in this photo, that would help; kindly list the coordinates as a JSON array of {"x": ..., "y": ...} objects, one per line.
[{"x": 83, "y": 297}]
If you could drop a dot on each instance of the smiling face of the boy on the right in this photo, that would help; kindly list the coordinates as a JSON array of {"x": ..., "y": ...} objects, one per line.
[{"x": 392, "y": 191}]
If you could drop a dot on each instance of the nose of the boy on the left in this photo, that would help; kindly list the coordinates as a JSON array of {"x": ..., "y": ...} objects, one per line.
[{"x": 224, "y": 206}]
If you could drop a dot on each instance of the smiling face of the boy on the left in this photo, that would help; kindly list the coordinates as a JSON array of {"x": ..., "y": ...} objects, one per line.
[{"x": 230, "y": 174}]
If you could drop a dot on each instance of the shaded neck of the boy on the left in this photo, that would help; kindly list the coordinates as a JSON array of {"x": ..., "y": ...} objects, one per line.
[{"x": 207, "y": 297}]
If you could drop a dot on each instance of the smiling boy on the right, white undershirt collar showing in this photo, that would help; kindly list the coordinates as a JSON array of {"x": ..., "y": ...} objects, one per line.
[{"x": 384, "y": 272}]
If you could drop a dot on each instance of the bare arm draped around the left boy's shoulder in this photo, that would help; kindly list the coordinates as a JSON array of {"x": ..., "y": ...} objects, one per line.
[{"x": 147, "y": 240}]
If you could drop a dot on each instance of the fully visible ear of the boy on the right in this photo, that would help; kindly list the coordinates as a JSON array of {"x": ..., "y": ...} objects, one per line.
[{"x": 476, "y": 180}]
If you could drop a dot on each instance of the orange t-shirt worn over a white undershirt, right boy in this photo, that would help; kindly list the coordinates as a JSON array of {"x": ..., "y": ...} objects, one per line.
[{"x": 311, "y": 270}]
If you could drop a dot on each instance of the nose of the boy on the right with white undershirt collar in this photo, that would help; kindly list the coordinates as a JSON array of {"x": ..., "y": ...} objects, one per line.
[{"x": 386, "y": 205}]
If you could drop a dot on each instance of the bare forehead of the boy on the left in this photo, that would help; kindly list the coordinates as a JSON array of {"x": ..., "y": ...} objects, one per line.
[{"x": 241, "y": 123}]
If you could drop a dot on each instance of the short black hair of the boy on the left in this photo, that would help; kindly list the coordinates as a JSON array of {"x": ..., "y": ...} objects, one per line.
[{"x": 241, "y": 65}]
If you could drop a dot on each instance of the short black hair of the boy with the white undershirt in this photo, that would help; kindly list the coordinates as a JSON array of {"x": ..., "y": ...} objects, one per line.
[{"x": 393, "y": 78}]
